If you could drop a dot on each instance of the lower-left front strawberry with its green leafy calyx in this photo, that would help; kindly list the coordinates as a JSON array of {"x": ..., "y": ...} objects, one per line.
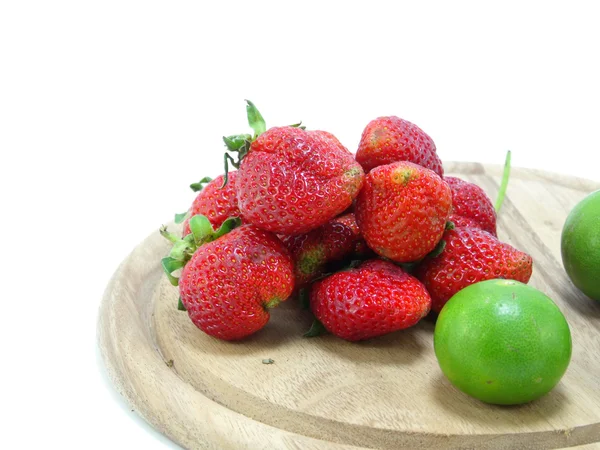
[{"x": 230, "y": 279}]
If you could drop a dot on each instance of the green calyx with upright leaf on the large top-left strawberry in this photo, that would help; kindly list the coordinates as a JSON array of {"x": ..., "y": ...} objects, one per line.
[{"x": 239, "y": 144}]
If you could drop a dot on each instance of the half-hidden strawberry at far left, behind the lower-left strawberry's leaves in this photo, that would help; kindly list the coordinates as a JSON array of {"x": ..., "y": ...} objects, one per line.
[{"x": 216, "y": 202}]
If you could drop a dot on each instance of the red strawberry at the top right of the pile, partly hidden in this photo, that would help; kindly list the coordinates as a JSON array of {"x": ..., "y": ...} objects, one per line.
[{"x": 389, "y": 139}]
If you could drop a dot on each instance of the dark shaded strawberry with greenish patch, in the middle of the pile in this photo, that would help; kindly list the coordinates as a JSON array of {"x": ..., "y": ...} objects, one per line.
[{"x": 335, "y": 240}]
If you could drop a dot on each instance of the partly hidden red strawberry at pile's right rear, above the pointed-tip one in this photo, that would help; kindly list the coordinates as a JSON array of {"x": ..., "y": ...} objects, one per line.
[{"x": 471, "y": 202}]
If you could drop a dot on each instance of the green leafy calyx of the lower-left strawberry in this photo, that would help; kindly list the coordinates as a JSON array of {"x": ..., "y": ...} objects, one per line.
[{"x": 202, "y": 232}]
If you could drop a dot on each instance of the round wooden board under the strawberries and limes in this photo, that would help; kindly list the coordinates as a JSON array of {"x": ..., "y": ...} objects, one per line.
[{"x": 325, "y": 393}]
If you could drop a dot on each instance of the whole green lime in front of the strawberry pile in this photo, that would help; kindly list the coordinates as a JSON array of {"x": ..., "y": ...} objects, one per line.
[{"x": 502, "y": 342}]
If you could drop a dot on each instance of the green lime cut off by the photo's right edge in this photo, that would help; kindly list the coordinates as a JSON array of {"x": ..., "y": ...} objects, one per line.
[{"x": 580, "y": 245}]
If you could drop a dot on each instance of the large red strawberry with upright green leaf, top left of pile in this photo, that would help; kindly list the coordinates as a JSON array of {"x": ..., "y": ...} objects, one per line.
[{"x": 291, "y": 181}]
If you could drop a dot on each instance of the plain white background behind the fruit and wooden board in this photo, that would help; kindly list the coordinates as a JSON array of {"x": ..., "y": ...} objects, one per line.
[{"x": 109, "y": 109}]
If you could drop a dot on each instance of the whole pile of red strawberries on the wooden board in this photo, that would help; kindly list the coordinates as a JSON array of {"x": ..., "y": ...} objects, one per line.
[{"x": 372, "y": 243}]
